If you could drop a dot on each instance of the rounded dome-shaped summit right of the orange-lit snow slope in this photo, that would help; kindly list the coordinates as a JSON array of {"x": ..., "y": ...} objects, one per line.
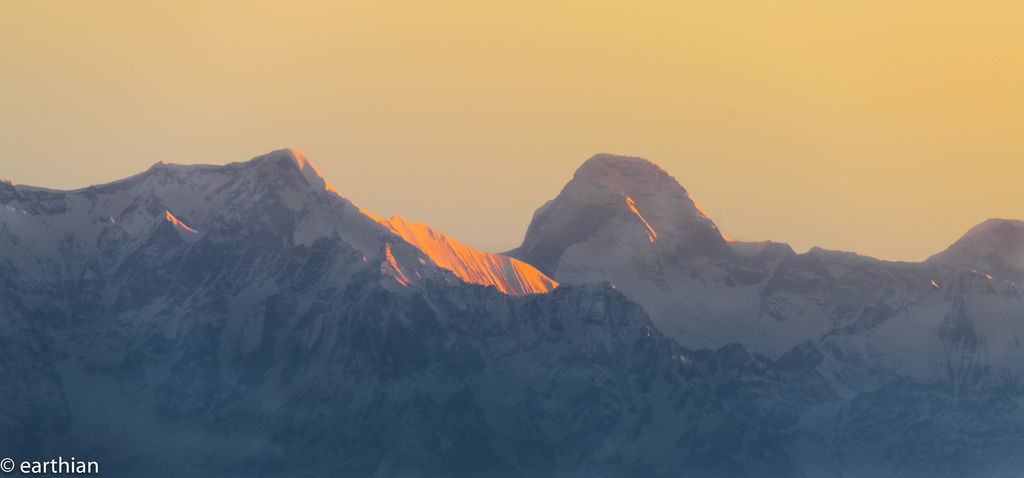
[{"x": 624, "y": 203}]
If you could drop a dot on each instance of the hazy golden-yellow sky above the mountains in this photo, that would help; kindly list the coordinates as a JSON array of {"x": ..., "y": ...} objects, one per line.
[{"x": 883, "y": 127}]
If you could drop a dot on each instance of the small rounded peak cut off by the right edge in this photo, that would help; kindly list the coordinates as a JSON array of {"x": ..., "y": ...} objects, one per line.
[{"x": 993, "y": 245}]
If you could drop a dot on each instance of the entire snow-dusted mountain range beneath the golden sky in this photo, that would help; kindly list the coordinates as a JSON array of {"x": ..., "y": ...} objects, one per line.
[{"x": 248, "y": 320}]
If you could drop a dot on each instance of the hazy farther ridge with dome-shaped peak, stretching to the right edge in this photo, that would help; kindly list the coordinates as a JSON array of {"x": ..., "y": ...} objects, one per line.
[{"x": 625, "y": 221}]
